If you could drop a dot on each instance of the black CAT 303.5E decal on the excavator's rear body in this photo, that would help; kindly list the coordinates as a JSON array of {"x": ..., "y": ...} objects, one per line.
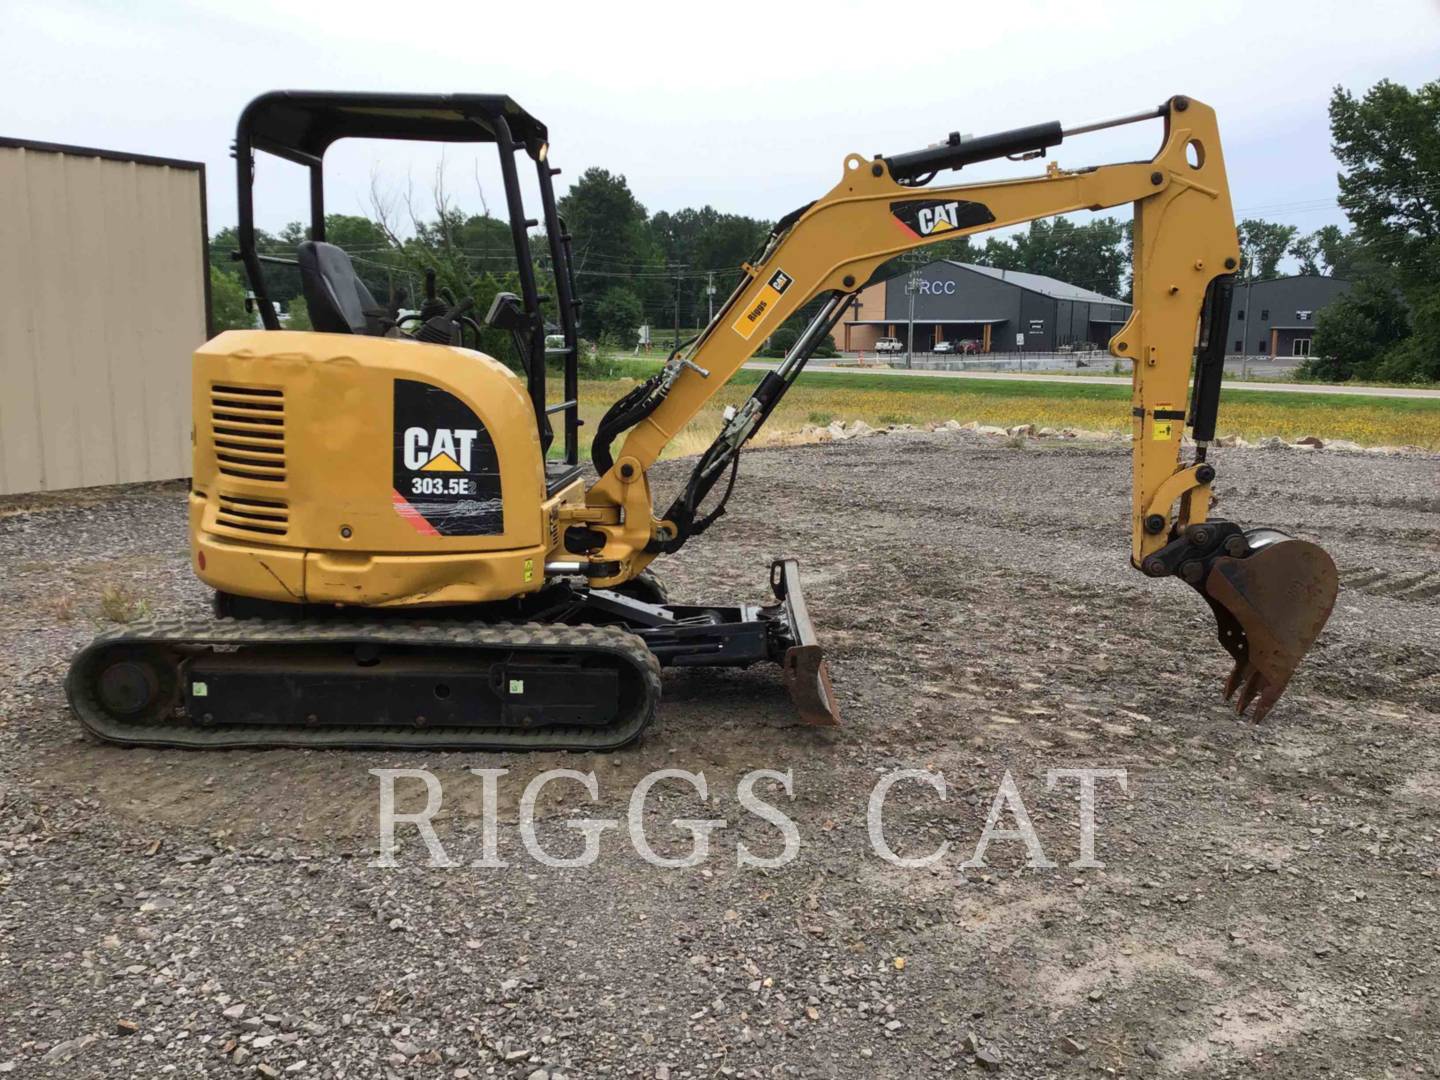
[{"x": 447, "y": 476}]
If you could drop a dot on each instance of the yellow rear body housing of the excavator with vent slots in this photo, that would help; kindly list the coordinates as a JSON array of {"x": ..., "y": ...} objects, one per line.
[{"x": 366, "y": 472}]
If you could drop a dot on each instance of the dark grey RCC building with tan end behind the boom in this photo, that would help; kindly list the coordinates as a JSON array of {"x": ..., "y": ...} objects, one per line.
[{"x": 999, "y": 312}]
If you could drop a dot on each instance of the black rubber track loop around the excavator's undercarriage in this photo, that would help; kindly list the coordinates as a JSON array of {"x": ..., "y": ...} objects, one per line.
[{"x": 181, "y": 634}]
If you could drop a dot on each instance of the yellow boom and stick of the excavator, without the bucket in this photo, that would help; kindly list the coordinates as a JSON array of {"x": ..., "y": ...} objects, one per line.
[{"x": 1184, "y": 240}]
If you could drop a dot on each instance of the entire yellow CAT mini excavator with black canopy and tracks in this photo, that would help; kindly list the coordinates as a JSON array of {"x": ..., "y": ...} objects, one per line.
[{"x": 405, "y": 551}]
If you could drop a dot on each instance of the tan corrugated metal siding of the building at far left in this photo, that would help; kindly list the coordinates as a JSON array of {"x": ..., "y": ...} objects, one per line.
[{"x": 103, "y": 276}]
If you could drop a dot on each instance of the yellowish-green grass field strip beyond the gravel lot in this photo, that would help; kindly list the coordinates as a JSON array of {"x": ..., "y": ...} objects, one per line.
[{"x": 817, "y": 400}]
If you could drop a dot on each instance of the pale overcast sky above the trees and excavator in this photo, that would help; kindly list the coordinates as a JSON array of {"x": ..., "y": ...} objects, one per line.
[{"x": 747, "y": 107}]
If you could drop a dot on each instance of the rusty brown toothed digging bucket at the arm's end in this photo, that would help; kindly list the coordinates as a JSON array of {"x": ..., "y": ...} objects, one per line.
[{"x": 1271, "y": 606}]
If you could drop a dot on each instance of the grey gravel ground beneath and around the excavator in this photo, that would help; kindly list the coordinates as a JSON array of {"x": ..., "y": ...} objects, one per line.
[{"x": 1268, "y": 904}]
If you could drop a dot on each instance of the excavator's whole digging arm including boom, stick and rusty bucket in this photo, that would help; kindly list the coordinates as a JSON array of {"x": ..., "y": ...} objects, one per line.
[{"x": 1271, "y": 594}]
